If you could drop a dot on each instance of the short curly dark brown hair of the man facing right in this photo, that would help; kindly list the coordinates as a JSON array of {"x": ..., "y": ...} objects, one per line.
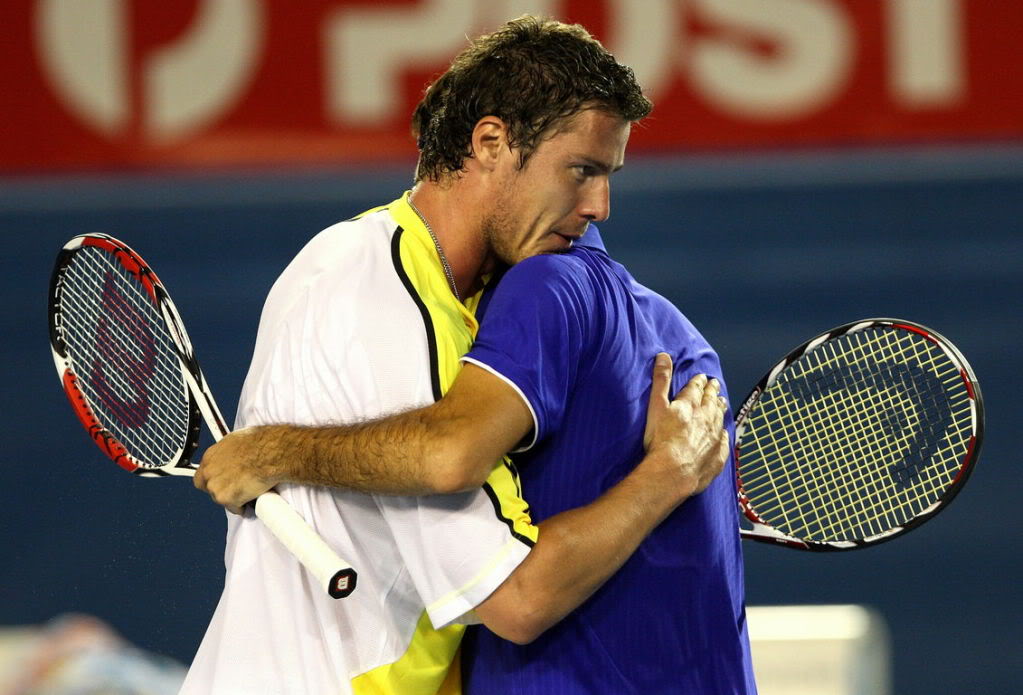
[{"x": 531, "y": 73}]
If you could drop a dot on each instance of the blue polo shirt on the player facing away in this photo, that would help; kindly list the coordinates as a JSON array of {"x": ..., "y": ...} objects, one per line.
[{"x": 577, "y": 336}]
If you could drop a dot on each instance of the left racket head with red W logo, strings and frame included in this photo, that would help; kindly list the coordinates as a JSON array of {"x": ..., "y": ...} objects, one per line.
[{"x": 121, "y": 357}]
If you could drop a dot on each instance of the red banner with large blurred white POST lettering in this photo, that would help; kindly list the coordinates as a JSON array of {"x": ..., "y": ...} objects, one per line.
[{"x": 101, "y": 84}]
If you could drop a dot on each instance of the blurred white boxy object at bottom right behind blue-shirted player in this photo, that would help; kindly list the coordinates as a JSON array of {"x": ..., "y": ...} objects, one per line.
[{"x": 820, "y": 650}]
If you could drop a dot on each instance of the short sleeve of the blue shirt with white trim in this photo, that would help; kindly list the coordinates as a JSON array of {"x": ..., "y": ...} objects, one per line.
[{"x": 546, "y": 309}]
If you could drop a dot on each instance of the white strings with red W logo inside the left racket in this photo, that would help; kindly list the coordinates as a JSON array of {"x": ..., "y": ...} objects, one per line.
[{"x": 123, "y": 357}]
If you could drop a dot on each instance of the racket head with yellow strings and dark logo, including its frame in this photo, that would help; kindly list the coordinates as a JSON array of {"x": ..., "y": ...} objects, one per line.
[{"x": 858, "y": 437}]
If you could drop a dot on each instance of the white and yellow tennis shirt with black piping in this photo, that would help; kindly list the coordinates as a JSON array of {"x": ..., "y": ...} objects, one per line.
[{"x": 362, "y": 324}]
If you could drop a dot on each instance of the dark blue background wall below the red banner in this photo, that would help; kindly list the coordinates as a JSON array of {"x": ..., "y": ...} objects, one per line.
[{"x": 761, "y": 252}]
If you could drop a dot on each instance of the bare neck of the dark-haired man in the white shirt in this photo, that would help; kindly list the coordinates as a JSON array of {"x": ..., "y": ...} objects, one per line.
[{"x": 455, "y": 215}]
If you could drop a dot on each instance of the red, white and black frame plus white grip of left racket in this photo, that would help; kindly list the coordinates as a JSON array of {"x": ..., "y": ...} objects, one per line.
[{"x": 337, "y": 578}]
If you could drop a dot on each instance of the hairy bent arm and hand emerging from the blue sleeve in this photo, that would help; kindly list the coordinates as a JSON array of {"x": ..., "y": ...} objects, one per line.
[{"x": 449, "y": 447}]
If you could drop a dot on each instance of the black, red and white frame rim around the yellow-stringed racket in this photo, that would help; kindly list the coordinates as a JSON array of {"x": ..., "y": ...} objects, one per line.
[{"x": 765, "y": 533}]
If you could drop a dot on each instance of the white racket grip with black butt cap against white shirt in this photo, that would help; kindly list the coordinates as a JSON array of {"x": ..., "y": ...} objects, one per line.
[{"x": 334, "y": 575}]
